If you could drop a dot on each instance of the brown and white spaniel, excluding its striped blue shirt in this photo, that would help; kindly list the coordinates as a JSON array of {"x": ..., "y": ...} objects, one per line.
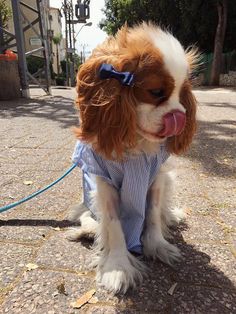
[{"x": 158, "y": 108}]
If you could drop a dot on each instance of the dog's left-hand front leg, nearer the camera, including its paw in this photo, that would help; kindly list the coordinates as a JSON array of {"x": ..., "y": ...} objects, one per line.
[{"x": 117, "y": 269}]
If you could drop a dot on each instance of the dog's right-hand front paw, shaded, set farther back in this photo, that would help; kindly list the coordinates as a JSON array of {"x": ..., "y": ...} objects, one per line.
[{"x": 156, "y": 246}]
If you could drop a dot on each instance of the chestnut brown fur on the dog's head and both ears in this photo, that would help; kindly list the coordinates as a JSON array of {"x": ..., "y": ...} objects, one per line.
[{"x": 107, "y": 109}]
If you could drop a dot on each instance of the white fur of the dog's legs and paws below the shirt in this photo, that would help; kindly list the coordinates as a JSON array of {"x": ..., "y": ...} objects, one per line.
[{"x": 117, "y": 269}]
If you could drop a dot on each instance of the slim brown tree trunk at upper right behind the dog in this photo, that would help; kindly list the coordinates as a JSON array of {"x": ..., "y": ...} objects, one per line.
[{"x": 219, "y": 42}]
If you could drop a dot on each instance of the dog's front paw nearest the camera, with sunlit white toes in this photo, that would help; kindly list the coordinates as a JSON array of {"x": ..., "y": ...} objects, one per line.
[{"x": 120, "y": 272}]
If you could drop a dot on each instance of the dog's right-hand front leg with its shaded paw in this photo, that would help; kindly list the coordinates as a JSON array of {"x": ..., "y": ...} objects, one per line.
[{"x": 160, "y": 215}]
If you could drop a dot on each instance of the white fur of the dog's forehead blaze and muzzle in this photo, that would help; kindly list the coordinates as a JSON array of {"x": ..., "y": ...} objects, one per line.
[{"x": 175, "y": 61}]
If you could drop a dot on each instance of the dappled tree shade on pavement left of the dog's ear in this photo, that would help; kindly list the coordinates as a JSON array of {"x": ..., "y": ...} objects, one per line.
[{"x": 59, "y": 109}]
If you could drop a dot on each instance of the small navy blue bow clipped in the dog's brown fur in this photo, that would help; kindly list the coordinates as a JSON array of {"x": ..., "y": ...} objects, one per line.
[{"x": 108, "y": 71}]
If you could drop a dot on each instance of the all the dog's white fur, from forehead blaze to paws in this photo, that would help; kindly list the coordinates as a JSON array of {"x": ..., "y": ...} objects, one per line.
[{"x": 117, "y": 269}]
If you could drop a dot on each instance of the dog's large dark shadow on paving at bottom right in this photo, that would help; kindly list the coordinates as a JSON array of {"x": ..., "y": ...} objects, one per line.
[{"x": 198, "y": 286}]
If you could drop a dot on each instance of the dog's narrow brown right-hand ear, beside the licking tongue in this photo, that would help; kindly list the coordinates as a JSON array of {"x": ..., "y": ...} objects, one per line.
[{"x": 180, "y": 143}]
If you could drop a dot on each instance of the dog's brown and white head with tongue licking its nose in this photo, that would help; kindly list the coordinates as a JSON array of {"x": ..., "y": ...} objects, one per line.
[{"x": 158, "y": 105}]
